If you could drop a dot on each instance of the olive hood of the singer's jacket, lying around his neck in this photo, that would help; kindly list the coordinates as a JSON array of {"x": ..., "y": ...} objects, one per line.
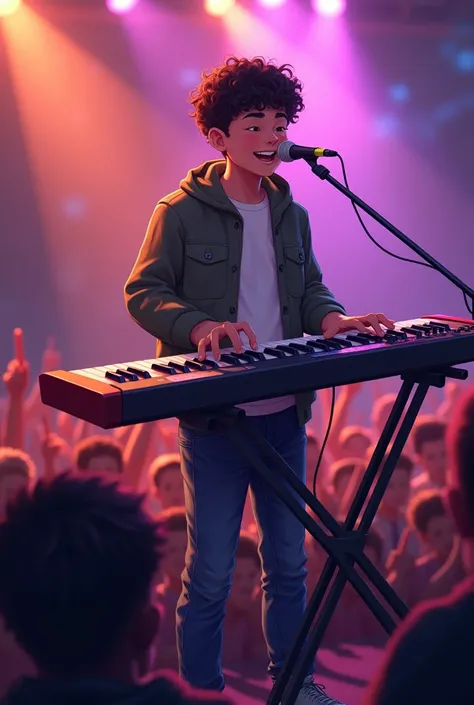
[{"x": 204, "y": 183}]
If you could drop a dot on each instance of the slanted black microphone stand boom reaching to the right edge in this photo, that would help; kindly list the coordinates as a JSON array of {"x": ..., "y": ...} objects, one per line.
[{"x": 324, "y": 174}]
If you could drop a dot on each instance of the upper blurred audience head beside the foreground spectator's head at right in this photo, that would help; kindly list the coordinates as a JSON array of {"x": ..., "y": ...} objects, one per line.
[{"x": 429, "y": 445}]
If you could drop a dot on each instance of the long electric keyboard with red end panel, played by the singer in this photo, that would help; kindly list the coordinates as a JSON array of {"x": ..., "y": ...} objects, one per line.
[{"x": 133, "y": 392}]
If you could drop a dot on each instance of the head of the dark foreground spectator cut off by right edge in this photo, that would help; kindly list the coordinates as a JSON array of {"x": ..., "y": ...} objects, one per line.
[{"x": 460, "y": 446}]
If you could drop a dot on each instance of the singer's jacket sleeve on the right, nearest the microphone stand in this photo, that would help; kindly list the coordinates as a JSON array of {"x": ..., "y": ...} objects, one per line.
[{"x": 317, "y": 299}]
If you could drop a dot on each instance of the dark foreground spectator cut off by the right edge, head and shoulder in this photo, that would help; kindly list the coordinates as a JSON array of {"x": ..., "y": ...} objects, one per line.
[{"x": 430, "y": 657}]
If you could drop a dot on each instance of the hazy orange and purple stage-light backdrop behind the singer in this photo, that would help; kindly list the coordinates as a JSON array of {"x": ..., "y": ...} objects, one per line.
[{"x": 95, "y": 128}]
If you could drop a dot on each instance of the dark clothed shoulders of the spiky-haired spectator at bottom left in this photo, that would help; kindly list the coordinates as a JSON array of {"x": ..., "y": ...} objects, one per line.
[{"x": 36, "y": 691}]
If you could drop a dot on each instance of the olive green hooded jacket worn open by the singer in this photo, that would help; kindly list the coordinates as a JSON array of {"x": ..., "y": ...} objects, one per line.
[{"x": 187, "y": 270}]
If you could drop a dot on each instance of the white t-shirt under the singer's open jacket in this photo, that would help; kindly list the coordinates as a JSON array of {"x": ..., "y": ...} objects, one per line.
[{"x": 259, "y": 299}]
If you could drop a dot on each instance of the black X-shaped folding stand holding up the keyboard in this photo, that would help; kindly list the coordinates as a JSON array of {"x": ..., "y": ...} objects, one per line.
[{"x": 344, "y": 544}]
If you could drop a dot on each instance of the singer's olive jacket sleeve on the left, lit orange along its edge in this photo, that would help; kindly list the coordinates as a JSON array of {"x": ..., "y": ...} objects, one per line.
[{"x": 150, "y": 291}]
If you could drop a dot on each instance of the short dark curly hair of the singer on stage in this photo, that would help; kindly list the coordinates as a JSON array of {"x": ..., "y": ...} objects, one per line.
[{"x": 240, "y": 85}]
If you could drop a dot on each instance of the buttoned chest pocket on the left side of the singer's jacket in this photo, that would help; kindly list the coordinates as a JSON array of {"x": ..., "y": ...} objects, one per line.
[{"x": 205, "y": 273}]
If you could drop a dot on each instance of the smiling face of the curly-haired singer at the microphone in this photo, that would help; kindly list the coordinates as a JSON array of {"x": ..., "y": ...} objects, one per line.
[{"x": 250, "y": 133}]
